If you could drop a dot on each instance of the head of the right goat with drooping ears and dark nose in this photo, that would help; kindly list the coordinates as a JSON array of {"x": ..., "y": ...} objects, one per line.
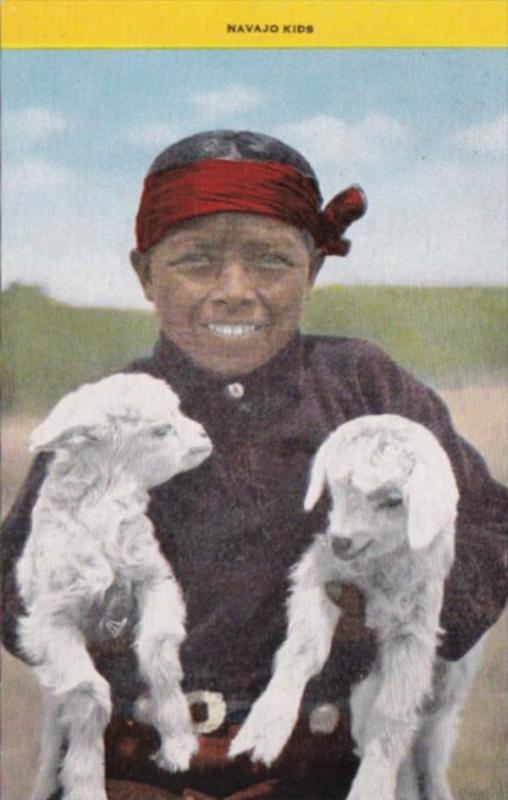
[{"x": 389, "y": 478}]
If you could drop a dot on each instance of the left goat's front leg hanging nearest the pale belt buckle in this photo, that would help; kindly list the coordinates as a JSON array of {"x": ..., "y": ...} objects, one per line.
[{"x": 161, "y": 630}]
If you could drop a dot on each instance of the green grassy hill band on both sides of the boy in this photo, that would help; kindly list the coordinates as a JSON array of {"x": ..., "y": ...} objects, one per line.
[{"x": 445, "y": 336}]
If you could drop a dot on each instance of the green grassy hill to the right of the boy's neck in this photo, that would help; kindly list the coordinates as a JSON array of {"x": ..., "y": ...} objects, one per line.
[{"x": 446, "y": 336}]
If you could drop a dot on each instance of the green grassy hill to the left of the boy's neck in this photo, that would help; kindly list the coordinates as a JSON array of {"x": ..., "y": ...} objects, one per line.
[{"x": 50, "y": 347}]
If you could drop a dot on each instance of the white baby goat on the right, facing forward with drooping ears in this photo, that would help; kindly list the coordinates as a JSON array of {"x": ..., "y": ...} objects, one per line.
[{"x": 391, "y": 533}]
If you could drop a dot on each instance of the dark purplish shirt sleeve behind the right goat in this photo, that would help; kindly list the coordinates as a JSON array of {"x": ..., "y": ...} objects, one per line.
[{"x": 476, "y": 589}]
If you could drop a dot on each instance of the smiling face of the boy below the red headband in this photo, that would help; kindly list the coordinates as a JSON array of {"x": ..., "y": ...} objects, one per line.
[{"x": 228, "y": 288}]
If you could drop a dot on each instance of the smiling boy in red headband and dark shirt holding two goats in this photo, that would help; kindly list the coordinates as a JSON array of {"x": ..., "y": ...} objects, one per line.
[{"x": 230, "y": 237}]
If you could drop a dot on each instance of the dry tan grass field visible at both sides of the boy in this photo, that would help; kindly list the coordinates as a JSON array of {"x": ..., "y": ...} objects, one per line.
[{"x": 480, "y": 767}]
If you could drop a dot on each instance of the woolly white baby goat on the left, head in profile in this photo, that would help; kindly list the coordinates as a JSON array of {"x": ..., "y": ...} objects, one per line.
[{"x": 112, "y": 440}]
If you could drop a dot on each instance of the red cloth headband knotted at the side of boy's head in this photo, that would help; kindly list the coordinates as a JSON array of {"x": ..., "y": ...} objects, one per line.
[{"x": 250, "y": 187}]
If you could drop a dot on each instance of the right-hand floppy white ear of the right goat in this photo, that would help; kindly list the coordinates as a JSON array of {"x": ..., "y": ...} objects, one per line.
[{"x": 431, "y": 497}]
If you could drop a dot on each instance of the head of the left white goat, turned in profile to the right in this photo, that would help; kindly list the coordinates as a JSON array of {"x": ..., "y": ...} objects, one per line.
[{"x": 132, "y": 423}]
